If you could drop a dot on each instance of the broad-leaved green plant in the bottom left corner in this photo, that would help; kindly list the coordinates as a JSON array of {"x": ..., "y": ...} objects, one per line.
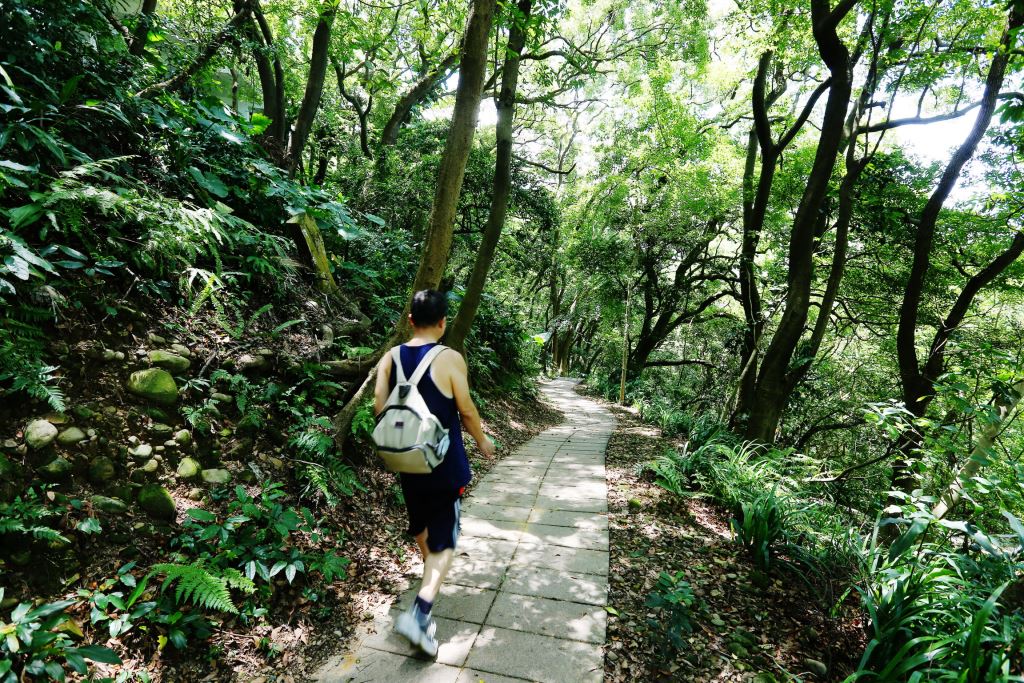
[{"x": 32, "y": 646}]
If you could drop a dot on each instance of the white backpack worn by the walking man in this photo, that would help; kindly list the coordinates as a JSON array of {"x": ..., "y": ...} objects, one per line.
[{"x": 409, "y": 438}]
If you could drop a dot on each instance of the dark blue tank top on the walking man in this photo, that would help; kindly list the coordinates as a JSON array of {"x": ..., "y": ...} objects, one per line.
[{"x": 454, "y": 473}]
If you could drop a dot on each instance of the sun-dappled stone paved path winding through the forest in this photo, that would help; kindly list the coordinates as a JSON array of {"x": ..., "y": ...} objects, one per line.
[{"x": 526, "y": 596}]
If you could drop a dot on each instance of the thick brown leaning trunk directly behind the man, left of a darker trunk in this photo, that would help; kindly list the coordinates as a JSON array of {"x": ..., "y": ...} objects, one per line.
[{"x": 453, "y": 167}]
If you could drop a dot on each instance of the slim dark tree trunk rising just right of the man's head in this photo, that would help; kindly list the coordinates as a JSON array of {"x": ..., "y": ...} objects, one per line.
[{"x": 502, "y": 188}]
